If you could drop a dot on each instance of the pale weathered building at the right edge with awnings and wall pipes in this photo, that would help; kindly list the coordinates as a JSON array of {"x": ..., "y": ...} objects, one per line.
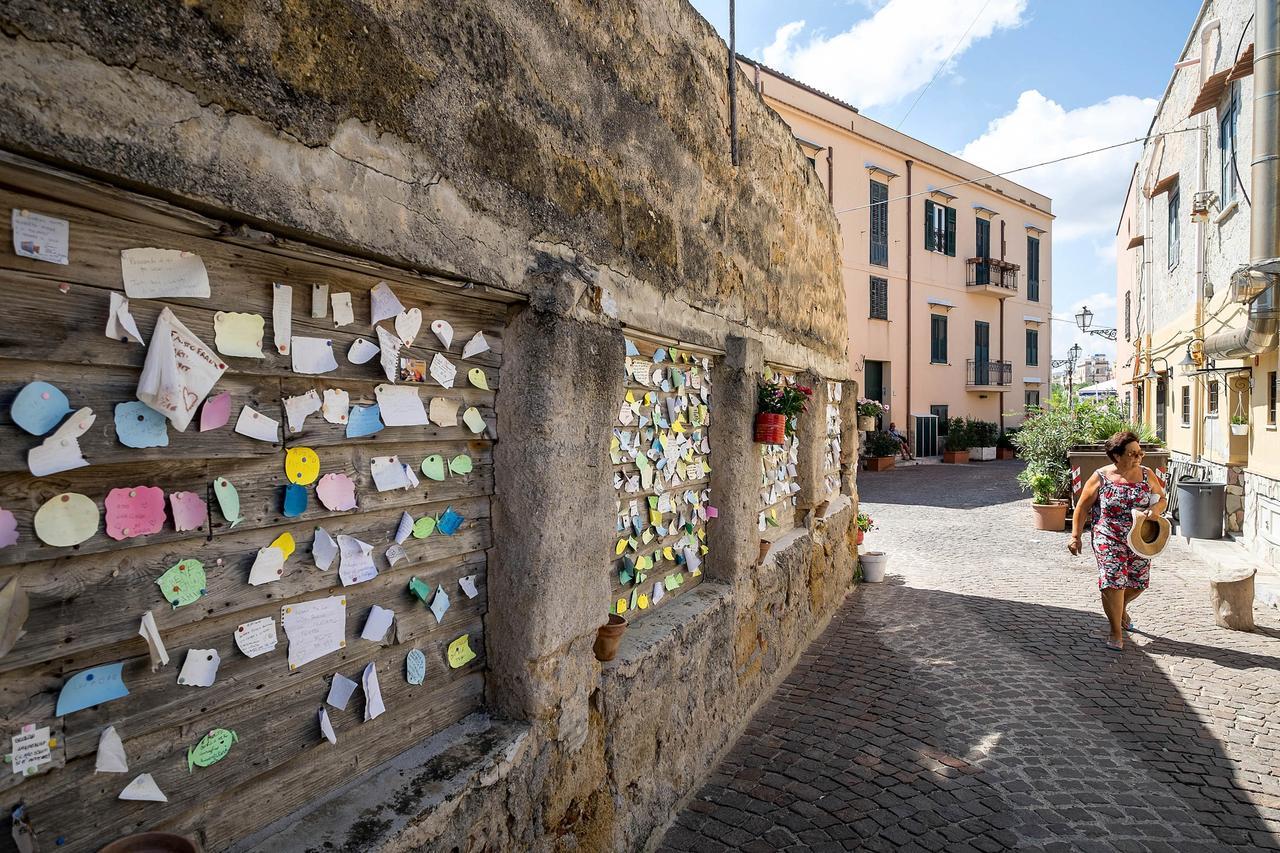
[{"x": 1197, "y": 339}]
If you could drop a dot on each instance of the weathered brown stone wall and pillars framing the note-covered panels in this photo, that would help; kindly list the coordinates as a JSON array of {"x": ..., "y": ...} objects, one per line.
[{"x": 577, "y": 156}]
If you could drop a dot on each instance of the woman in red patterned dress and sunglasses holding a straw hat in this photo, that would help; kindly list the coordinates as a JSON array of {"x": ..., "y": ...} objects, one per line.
[{"x": 1110, "y": 499}]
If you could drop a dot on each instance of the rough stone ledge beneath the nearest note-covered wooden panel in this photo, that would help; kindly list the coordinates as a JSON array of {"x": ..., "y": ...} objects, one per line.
[{"x": 423, "y": 784}]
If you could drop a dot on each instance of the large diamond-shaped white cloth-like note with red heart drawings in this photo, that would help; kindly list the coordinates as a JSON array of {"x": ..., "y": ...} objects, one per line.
[{"x": 180, "y": 372}]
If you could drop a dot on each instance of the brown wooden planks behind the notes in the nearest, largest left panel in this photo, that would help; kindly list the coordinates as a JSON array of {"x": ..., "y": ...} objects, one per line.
[{"x": 86, "y": 601}]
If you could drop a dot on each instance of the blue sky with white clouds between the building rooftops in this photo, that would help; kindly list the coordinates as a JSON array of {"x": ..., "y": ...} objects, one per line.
[{"x": 1030, "y": 81}]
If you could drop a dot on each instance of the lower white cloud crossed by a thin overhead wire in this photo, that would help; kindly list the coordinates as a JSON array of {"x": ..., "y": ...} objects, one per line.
[{"x": 1087, "y": 191}]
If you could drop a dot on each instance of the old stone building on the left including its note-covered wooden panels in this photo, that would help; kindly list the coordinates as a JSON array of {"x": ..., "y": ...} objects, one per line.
[{"x": 555, "y": 176}]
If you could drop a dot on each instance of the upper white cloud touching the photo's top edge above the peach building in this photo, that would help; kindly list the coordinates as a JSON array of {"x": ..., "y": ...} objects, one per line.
[{"x": 894, "y": 52}]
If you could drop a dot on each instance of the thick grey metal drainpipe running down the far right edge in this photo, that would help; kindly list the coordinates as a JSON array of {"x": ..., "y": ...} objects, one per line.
[{"x": 1260, "y": 276}]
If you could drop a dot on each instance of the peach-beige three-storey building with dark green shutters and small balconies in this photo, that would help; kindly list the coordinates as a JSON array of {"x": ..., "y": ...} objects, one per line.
[{"x": 947, "y": 270}]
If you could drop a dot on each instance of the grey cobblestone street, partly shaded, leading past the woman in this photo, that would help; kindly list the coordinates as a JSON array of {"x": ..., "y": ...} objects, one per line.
[{"x": 968, "y": 704}]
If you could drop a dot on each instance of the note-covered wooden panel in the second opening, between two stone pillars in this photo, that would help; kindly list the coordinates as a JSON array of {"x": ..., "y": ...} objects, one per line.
[{"x": 633, "y": 597}]
